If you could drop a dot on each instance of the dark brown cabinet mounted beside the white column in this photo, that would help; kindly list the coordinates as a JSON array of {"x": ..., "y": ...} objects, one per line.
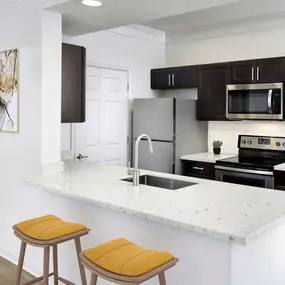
[{"x": 73, "y": 84}]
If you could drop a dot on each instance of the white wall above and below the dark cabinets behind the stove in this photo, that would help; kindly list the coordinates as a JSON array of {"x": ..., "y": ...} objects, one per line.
[{"x": 258, "y": 44}]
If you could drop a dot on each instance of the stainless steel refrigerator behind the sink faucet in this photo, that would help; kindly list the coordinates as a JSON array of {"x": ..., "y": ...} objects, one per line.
[{"x": 174, "y": 130}]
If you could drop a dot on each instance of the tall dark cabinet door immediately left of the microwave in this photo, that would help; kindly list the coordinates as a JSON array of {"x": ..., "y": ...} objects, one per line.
[{"x": 212, "y": 82}]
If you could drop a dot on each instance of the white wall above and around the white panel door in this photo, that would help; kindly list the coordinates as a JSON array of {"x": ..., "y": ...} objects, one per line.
[{"x": 132, "y": 48}]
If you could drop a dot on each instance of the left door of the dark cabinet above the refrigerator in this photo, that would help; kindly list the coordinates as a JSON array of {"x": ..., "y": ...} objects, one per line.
[{"x": 162, "y": 78}]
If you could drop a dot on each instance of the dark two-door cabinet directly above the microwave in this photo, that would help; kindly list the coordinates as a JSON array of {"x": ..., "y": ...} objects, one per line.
[{"x": 268, "y": 70}]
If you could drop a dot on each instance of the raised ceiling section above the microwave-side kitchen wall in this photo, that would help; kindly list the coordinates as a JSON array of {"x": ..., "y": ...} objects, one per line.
[{"x": 242, "y": 11}]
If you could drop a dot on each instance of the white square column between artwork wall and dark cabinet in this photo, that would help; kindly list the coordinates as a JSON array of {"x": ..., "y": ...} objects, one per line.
[{"x": 51, "y": 87}]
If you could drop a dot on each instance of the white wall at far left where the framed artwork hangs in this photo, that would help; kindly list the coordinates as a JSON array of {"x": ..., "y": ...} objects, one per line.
[{"x": 21, "y": 154}]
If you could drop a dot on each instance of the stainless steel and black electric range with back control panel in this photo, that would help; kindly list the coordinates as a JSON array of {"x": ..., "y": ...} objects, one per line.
[{"x": 255, "y": 162}]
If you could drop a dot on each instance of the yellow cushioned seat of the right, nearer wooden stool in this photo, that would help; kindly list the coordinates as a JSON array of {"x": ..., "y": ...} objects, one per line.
[{"x": 123, "y": 257}]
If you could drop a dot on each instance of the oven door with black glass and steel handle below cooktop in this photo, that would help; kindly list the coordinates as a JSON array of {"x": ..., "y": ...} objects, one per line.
[{"x": 263, "y": 179}]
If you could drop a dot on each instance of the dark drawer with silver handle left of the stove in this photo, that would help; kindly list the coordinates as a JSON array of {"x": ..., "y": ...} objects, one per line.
[{"x": 199, "y": 169}]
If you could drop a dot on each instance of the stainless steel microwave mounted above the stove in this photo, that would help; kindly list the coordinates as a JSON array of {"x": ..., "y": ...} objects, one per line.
[{"x": 255, "y": 102}]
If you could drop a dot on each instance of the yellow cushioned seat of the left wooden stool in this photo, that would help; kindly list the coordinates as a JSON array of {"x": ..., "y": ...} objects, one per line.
[{"x": 48, "y": 228}]
